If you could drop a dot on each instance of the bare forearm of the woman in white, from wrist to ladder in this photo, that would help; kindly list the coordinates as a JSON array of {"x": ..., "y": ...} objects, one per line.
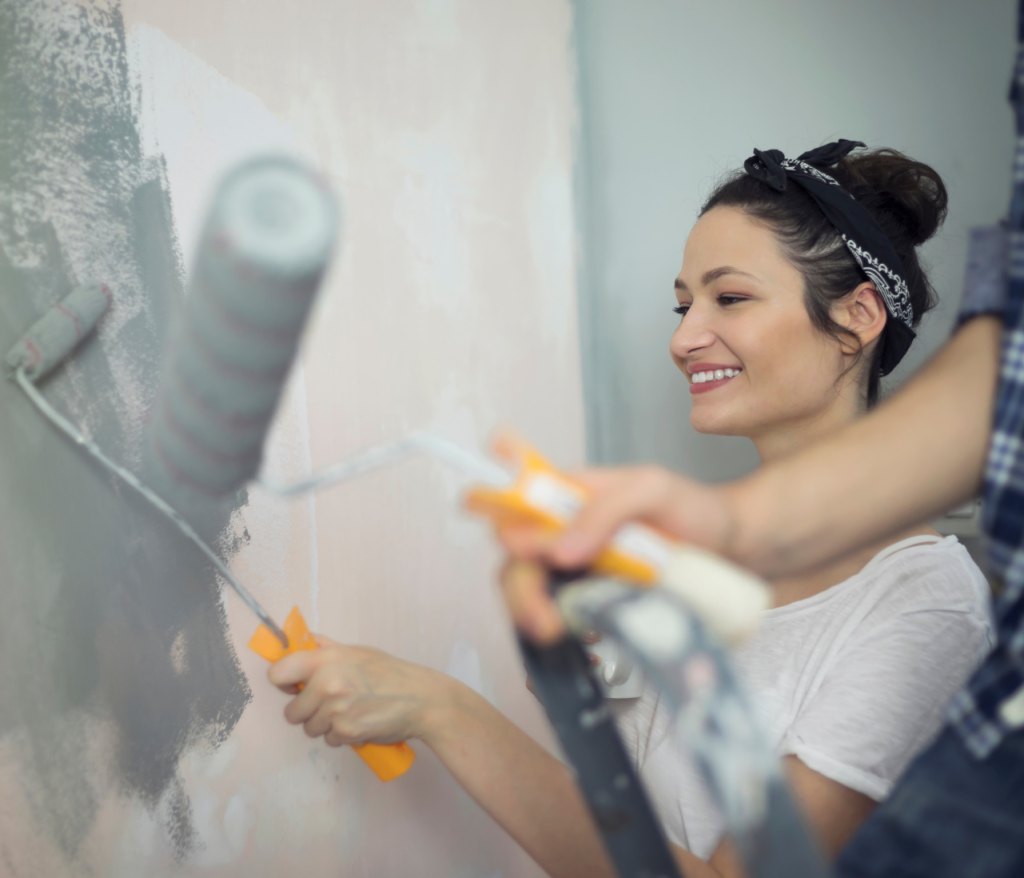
[{"x": 529, "y": 792}]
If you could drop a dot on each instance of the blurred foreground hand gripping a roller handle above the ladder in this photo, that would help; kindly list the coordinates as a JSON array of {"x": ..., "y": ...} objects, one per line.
[{"x": 682, "y": 509}]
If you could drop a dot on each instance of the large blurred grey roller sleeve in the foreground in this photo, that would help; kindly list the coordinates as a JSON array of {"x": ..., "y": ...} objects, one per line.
[{"x": 265, "y": 247}]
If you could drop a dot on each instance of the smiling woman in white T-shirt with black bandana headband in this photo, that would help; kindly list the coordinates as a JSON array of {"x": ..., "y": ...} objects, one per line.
[{"x": 787, "y": 328}]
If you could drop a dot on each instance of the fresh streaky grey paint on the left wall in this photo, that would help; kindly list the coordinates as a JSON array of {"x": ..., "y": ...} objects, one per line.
[{"x": 97, "y": 588}]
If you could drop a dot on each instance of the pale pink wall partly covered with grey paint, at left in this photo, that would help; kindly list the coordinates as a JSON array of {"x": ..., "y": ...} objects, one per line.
[{"x": 138, "y": 734}]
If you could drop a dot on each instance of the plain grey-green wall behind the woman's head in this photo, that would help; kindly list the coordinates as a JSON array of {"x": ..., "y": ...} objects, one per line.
[{"x": 674, "y": 95}]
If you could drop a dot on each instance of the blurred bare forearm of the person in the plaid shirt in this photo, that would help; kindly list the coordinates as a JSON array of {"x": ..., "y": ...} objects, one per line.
[{"x": 920, "y": 453}]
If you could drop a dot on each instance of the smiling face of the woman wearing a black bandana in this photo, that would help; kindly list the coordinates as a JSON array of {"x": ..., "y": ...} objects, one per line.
[{"x": 744, "y": 314}]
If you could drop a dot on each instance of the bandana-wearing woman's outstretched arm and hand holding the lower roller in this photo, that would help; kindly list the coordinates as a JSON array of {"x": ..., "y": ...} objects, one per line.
[{"x": 354, "y": 695}]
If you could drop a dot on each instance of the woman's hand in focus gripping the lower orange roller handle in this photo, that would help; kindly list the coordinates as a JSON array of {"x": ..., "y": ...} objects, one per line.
[{"x": 355, "y": 695}]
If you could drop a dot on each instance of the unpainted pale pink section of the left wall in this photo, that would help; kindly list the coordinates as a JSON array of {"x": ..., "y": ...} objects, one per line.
[{"x": 447, "y": 128}]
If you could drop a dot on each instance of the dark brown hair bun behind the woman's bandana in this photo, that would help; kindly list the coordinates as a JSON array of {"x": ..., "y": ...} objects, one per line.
[{"x": 908, "y": 198}]
